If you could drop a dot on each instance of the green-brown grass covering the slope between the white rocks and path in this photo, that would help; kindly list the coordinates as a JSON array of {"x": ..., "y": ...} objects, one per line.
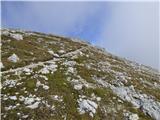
[{"x": 30, "y": 48}]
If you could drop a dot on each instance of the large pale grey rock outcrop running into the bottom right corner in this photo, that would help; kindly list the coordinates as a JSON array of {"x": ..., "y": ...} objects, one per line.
[{"x": 144, "y": 102}]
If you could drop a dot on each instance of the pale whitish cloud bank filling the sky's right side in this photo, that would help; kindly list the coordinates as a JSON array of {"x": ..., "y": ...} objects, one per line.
[{"x": 132, "y": 32}]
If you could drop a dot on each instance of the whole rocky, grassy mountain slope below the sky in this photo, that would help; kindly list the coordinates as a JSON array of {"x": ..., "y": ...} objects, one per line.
[{"x": 48, "y": 77}]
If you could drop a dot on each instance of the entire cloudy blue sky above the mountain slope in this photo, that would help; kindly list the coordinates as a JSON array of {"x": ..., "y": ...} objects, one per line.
[{"x": 127, "y": 29}]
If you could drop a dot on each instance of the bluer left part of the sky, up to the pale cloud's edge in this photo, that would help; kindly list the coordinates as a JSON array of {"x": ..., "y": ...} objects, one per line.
[{"x": 76, "y": 19}]
